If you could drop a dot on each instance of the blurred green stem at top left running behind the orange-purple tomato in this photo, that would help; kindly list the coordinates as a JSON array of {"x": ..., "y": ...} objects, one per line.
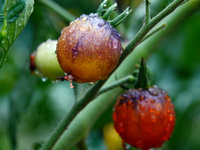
[{"x": 68, "y": 17}]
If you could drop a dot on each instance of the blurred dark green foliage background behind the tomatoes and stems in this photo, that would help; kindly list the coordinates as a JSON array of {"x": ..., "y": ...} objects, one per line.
[{"x": 30, "y": 107}]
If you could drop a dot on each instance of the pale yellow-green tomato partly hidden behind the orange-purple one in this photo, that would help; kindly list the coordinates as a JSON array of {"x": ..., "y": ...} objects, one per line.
[{"x": 46, "y": 62}]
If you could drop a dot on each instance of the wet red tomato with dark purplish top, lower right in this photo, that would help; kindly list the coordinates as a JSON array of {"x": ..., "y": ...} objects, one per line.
[{"x": 144, "y": 118}]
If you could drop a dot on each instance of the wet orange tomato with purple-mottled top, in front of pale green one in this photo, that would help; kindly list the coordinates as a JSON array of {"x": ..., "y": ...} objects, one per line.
[{"x": 89, "y": 49}]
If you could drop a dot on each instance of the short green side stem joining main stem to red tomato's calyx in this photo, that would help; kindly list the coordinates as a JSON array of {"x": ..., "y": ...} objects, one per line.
[{"x": 117, "y": 83}]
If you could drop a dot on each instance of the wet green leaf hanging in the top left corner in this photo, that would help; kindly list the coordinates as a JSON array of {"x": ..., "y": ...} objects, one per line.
[{"x": 12, "y": 21}]
